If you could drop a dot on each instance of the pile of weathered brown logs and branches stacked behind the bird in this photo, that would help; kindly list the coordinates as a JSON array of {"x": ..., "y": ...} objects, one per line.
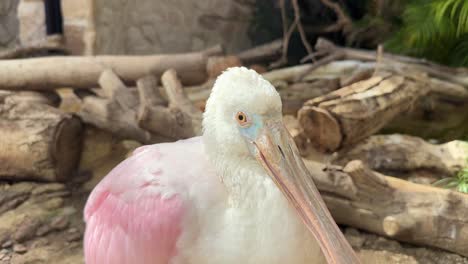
[{"x": 335, "y": 106}]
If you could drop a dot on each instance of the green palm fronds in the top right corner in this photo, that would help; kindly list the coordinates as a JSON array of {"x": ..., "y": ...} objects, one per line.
[{"x": 434, "y": 29}]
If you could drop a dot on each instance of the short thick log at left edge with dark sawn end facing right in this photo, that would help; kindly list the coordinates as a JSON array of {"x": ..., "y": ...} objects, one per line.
[{"x": 38, "y": 142}]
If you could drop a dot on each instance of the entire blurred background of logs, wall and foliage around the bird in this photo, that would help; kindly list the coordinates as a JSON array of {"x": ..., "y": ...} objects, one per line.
[{"x": 381, "y": 82}]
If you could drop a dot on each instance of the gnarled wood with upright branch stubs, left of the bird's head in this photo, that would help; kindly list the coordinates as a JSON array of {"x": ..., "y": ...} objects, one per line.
[{"x": 141, "y": 114}]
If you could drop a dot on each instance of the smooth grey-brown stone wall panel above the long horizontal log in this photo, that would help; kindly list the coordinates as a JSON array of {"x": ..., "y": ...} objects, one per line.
[{"x": 162, "y": 26}]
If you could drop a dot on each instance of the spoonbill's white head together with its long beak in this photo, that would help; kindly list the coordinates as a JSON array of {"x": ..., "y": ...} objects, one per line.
[{"x": 242, "y": 127}]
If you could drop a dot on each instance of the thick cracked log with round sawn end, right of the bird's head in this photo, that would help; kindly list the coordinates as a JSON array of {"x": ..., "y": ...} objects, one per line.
[{"x": 350, "y": 114}]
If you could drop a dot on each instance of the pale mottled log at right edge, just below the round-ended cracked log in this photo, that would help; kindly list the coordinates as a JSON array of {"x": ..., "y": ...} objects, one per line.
[{"x": 393, "y": 154}]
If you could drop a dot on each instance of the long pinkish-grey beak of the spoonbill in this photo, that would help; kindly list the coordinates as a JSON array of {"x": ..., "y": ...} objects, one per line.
[{"x": 276, "y": 151}]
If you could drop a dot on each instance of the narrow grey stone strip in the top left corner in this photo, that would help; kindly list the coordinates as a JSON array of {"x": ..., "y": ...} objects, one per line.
[{"x": 9, "y": 25}]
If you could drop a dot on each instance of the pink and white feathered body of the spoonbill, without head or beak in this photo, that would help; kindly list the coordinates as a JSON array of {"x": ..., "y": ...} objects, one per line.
[{"x": 200, "y": 223}]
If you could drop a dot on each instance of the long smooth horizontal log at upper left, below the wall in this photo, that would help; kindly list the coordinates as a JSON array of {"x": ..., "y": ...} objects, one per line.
[{"x": 84, "y": 72}]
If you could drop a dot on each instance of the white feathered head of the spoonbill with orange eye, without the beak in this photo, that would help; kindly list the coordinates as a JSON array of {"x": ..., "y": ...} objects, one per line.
[{"x": 240, "y": 102}]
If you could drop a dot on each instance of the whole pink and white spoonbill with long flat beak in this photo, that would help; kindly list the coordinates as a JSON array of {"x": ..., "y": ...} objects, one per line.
[{"x": 239, "y": 193}]
